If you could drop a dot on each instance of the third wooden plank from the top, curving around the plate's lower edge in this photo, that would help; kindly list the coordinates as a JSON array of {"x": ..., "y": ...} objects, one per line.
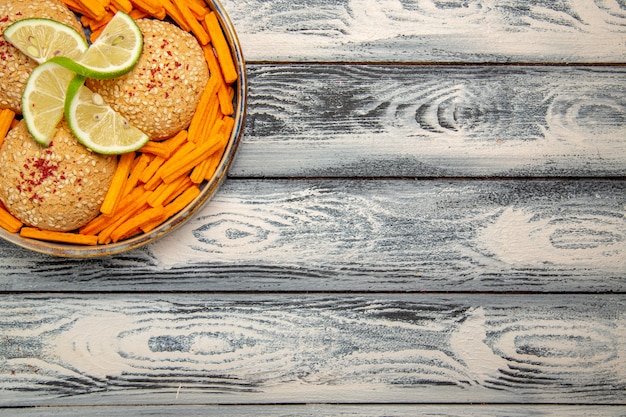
[{"x": 367, "y": 235}]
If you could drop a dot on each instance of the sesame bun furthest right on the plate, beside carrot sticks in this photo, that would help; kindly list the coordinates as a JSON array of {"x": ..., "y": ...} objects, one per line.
[{"x": 160, "y": 95}]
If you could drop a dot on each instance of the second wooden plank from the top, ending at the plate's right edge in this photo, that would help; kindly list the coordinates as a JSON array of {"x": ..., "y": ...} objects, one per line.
[{"x": 433, "y": 121}]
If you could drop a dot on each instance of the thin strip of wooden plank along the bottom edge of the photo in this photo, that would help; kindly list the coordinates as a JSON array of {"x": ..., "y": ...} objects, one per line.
[{"x": 326, "y": 410}]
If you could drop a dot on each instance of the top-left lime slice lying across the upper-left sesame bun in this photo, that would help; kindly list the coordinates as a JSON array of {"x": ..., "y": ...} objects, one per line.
[{"x": 42, "y": 39}]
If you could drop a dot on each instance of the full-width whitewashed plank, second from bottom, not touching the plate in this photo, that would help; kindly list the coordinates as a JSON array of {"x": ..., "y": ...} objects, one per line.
[{"x": 220, "y": 349}]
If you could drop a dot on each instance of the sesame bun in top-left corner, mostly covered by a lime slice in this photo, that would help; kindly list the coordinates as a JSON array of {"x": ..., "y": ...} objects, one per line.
[{"x": 15, "y": 67}]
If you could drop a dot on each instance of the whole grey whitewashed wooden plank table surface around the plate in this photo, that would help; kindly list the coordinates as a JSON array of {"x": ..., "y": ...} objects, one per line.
[{"x": 426, "y": 216}]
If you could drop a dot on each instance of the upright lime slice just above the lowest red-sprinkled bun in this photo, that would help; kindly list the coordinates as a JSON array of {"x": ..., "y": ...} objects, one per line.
[{"x": 43, "y": 100}]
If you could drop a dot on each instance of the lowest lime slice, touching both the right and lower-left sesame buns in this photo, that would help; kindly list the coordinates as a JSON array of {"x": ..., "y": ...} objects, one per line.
[{"x": 96, "y": 125}]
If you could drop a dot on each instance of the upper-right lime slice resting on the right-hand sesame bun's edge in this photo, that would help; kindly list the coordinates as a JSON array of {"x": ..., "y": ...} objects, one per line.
[{"x": 114, "y": 53}]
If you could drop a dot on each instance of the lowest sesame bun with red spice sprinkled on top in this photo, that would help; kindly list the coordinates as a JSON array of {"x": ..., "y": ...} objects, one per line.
[{"x": 56, "y": 188}]
